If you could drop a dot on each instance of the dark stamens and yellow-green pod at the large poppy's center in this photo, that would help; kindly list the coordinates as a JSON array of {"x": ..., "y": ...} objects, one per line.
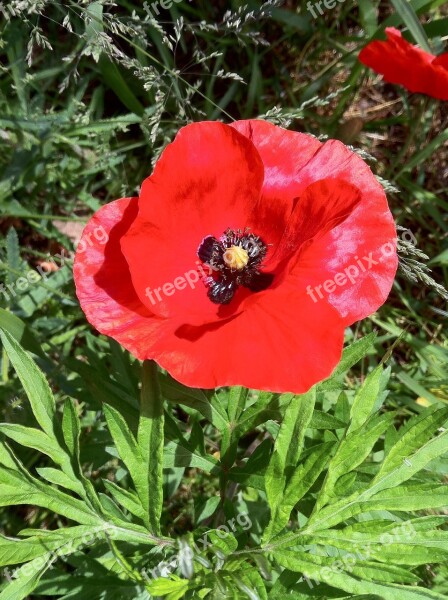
[{"x": 234, "y": 259}]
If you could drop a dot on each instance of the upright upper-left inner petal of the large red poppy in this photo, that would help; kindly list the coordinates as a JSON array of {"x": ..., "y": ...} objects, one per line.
[{"x": 207, "y": 180}]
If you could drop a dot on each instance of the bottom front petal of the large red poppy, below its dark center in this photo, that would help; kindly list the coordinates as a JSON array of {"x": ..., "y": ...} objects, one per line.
[{"x": 282, "y": 342}]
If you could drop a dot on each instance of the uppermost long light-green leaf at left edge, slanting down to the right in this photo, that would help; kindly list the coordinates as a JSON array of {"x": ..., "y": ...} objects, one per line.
[{"x": 34, "y": 383}]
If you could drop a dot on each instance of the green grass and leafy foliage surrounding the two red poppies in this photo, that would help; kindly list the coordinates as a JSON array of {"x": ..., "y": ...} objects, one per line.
[{"x": 338, "y": 493}]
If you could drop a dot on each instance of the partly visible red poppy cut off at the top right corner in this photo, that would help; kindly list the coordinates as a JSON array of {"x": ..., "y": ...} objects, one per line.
[{"x": 400, "y": 62}]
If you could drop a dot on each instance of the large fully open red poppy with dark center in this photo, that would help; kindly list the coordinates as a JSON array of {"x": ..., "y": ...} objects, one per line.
[{"x": 229, "y": 267}]
